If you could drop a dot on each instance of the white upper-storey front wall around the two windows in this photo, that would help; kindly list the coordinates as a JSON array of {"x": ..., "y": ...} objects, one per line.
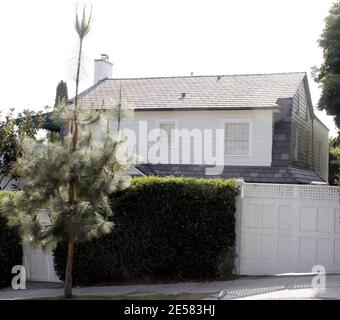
[{"x": 260, "y": 135}]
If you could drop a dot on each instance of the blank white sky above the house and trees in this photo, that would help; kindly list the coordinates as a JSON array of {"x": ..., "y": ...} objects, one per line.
[{"x": 155, "y": 38}]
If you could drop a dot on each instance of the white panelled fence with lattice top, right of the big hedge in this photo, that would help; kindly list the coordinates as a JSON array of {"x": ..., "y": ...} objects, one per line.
[{"x": 287, "y": 228}]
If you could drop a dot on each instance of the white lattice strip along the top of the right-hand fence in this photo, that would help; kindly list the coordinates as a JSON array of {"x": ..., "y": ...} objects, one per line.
[{"x": 311, "y": 192}]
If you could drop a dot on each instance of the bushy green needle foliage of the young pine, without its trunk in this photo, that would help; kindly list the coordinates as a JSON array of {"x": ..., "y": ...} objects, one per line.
[{"x": 46, "y": 168}]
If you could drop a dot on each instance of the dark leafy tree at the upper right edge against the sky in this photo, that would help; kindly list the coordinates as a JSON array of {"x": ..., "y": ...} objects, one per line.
[{"x": 328, "y": 74}]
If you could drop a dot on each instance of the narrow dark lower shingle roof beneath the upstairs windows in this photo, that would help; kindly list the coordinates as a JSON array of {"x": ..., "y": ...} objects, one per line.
[{"x": 249, "y": 174}]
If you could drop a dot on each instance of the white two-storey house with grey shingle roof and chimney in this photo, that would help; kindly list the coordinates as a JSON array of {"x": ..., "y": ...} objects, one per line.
[{"x": 259, "y": 127}]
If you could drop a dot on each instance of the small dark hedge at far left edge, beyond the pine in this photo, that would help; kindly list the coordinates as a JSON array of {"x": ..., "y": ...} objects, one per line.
[{"x": 10, "y": 248}]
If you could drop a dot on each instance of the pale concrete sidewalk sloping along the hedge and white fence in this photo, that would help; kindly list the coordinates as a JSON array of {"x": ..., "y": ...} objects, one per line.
[{"x": 243, "y": 288}]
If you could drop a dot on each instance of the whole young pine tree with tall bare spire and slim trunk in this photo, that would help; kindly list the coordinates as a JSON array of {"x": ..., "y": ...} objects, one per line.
[{"x": 72, "y": 180}]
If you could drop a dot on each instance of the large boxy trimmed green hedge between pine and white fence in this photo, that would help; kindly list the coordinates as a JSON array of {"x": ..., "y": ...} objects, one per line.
[{"x": 165, "y": 228}]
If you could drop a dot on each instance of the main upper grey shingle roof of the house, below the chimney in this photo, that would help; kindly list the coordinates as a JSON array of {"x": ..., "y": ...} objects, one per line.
[{"x": 190, "y": 92}]
